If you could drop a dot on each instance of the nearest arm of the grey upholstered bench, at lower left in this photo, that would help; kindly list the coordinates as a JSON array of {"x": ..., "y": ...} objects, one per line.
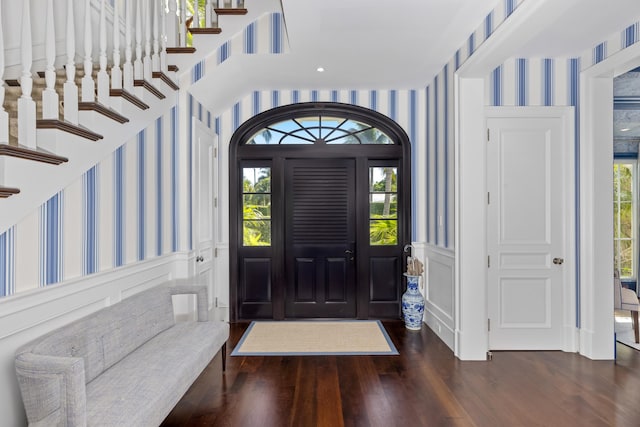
[{"x": 53, "y": 389}]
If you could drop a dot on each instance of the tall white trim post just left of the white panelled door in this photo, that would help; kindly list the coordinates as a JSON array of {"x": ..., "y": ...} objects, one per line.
[{"x": 470, "y": 305}]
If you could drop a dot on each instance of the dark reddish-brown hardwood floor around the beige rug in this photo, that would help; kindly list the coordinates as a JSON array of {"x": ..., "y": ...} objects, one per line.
[{"x": 424, "y": 386}]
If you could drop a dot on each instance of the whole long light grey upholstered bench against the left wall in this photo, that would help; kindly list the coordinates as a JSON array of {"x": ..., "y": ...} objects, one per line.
[{"x": 125, "y": 365}]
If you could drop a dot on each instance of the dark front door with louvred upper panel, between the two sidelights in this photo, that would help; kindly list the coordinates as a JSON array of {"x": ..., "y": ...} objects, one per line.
[{"x": 320, "y": 238}]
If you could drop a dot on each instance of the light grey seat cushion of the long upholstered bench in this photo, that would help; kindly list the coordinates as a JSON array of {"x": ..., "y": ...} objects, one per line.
[{"x": 171, "y": 362}]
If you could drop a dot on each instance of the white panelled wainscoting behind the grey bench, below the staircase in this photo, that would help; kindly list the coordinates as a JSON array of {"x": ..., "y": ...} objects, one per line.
[{"x": 28, "y": 315}]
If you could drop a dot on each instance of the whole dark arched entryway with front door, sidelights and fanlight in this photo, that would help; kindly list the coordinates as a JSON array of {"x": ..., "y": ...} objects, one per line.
[{"x": 319, "y": 213}]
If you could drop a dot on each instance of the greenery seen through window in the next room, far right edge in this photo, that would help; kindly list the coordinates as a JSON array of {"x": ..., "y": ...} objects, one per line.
[{"x": 625, "y": 217}]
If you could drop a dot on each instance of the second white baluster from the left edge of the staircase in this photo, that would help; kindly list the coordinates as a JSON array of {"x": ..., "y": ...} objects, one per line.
[{"x": 26, "y": 105}]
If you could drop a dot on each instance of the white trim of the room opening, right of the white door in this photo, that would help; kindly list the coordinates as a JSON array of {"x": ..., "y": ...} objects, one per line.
[{"x": 596, "y": 231}]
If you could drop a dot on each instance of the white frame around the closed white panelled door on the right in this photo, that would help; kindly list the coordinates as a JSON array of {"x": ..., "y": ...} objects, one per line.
[{"x": 569, "y": 290}]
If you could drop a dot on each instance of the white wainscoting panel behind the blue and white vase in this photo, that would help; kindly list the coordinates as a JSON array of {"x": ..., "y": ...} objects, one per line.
[{"x": 438, "y": 290}]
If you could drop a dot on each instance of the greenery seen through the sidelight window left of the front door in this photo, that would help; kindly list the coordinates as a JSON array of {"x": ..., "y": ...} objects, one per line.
[{"x": 256, "y": 206}]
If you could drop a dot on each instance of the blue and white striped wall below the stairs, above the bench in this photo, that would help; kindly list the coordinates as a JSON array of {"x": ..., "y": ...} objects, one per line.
[{"x": 121, "y": 211}]
